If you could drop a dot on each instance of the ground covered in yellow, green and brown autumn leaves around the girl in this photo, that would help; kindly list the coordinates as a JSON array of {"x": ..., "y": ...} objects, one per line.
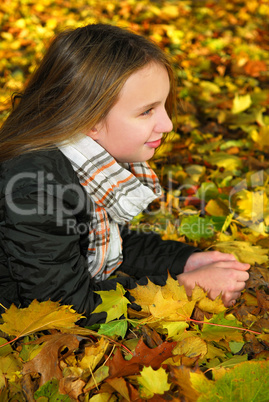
[{"x": 214, "y": 171}]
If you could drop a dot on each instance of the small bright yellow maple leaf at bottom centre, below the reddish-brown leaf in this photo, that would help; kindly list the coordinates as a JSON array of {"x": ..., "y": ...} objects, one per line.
[{"x": 153, "y": 382}]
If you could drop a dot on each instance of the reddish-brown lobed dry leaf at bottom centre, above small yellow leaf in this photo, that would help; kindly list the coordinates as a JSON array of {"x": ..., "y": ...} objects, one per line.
[{"x": 143, "y": 356}]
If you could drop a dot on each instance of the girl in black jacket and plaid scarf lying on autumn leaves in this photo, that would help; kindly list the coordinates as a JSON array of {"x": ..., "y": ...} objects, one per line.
[{"x": 74, "y": 171}]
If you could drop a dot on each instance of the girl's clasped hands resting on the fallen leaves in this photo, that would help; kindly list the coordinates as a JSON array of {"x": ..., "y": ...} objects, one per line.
[{"x": 226, "y": 277}]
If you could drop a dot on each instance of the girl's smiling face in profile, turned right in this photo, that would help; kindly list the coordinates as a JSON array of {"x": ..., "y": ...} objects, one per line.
[{"x": 133, "y": 128}]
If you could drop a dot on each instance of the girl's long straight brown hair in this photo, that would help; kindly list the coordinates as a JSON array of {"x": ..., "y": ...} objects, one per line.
[{"x": 77, "y": 83}]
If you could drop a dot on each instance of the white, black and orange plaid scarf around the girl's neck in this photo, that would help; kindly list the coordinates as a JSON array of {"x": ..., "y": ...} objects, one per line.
[{"x": 117, "y": 192}]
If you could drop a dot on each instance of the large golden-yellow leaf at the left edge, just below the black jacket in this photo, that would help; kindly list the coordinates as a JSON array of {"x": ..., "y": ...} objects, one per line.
[{"x": 38, "y": 317}]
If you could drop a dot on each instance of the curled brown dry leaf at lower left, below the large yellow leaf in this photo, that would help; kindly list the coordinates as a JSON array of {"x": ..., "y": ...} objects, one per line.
[{"x": 46, "y": 363}]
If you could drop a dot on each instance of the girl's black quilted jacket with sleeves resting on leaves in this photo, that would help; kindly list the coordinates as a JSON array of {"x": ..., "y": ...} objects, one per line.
[{"x": 42, "y": 257}]
